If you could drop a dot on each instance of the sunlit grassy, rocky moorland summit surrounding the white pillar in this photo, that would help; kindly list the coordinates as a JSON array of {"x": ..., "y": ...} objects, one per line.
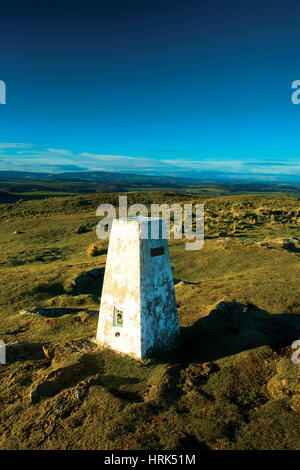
[{"x": 229, "y": 385}]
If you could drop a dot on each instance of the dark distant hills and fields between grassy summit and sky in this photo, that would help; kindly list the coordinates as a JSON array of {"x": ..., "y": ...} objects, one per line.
[{"x": 15, "y": 185}]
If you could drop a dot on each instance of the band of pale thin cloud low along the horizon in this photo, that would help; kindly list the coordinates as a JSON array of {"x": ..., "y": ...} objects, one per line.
[{"x": 26, "y": 157}]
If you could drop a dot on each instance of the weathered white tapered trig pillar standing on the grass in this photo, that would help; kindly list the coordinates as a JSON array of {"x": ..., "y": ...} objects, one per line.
[{"x": 138, "y": 314}]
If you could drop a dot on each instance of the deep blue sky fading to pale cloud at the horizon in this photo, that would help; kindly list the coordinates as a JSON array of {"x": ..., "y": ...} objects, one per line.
[{"x": 182, "y": 88}]
